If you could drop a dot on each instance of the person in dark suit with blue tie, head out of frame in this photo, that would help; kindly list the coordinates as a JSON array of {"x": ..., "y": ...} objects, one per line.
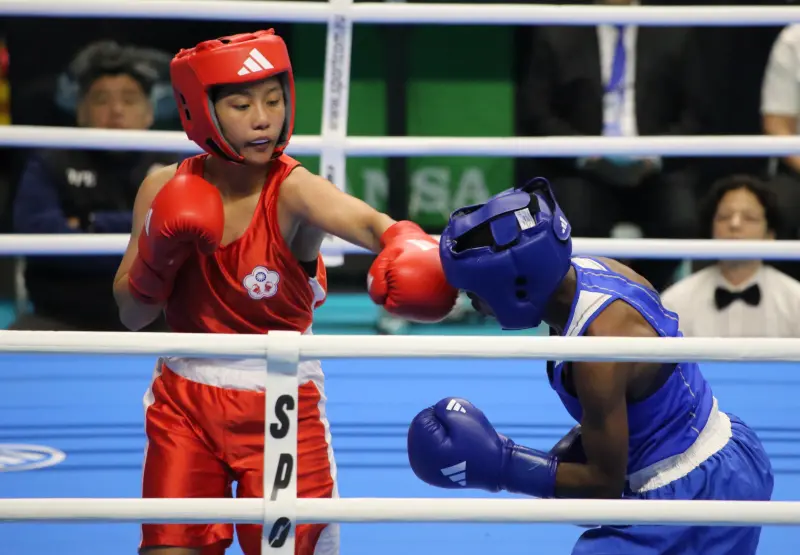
[{"x": 615, "y": 81}]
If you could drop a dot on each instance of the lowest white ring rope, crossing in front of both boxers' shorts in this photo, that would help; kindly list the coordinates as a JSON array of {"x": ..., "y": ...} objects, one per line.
[{"x": 563, "y": 511}]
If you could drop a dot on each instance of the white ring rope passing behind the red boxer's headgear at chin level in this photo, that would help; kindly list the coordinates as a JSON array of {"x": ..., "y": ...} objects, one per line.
[{"x": 28, "y": 136}]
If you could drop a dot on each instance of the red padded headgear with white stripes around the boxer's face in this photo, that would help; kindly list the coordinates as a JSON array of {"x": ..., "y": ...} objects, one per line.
[{"x": 228, "y": 60}]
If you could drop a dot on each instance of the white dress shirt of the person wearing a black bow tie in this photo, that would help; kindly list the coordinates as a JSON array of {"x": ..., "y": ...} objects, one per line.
[{"x": 776, "y": 315}]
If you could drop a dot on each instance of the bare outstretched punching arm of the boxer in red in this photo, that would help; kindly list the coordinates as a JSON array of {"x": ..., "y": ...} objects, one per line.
[{"x": 321, "y": 204}]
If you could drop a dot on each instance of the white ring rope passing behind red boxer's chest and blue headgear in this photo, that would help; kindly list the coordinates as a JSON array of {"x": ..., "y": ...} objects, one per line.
[{"x": 669, "y": 249}]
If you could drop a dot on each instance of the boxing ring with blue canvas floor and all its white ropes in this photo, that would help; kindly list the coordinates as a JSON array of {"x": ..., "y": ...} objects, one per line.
[{"x": 79, "y": 394}]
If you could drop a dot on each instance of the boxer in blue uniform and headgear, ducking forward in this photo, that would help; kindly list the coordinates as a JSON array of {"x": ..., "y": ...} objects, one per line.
[{"x": 645, "y": 430}]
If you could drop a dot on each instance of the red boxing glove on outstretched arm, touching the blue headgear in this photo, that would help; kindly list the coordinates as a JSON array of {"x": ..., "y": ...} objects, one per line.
[{"x": 407, "y": 278}]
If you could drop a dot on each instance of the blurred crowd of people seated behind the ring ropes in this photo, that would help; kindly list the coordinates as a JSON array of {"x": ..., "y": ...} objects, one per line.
[{"x": 573, "y": 81}]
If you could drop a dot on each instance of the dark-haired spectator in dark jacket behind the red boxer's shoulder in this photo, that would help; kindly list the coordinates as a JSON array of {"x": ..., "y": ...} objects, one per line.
[{"x": 91, "y": 191}]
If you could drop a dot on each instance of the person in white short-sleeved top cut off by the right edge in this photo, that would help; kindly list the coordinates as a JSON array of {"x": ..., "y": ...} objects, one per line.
[{"x": 780, "y": 114}]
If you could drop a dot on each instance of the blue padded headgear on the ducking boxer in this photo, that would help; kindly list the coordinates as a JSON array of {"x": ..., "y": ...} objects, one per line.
[{"x": 515, "y": 250}]
